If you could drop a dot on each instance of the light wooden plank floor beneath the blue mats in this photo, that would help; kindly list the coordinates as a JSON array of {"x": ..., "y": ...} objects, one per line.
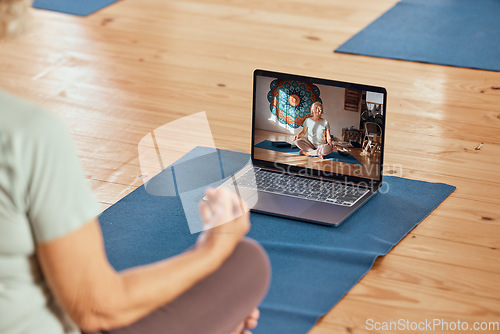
[{"x": 119, "y": 74}]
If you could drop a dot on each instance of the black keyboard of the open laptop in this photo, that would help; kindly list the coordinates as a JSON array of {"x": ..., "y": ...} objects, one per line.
[{"x": 300, "y": 187}]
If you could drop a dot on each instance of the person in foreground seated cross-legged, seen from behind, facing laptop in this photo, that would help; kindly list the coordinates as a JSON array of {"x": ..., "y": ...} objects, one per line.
[{"x": 54, "y": 273}]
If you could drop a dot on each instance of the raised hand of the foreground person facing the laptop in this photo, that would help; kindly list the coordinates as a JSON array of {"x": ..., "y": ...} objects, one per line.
[{"x": 226, "y": 221}]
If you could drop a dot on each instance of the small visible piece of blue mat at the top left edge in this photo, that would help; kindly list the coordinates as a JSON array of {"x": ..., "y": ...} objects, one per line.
[{"x": 79, "y": 7}]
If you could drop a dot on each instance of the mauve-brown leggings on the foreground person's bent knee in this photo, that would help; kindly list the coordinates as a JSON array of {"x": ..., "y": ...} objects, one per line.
[{"x": 217, "y": 304}]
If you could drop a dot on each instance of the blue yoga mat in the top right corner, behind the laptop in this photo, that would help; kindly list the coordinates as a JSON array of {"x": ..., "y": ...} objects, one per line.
[{"x": 460, "y": 33}]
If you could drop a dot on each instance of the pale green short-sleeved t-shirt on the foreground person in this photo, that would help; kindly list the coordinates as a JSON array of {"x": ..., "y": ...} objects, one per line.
[{"x": 43, "y": 195}]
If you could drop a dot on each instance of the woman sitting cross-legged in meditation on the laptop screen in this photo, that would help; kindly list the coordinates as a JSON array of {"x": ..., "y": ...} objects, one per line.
[{"x": 315, "y": 139}]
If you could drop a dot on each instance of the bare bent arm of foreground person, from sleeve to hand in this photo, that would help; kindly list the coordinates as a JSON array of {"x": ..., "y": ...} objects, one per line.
[{"x": 97, "y": 297}]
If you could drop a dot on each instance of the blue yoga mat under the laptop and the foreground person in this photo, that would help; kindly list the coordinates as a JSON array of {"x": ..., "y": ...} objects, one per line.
[{"x": 313, "y": 266}]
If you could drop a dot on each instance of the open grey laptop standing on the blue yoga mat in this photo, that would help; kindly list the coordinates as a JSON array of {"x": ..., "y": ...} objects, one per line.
[{"x": 313, "y": 168}]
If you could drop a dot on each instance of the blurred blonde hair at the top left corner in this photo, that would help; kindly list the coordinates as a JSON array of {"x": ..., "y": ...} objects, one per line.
[{"x": 14, "y": 17}]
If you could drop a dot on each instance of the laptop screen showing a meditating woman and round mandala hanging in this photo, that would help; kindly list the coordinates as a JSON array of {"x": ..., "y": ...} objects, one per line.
[{"x": 325, "y": 127}]
